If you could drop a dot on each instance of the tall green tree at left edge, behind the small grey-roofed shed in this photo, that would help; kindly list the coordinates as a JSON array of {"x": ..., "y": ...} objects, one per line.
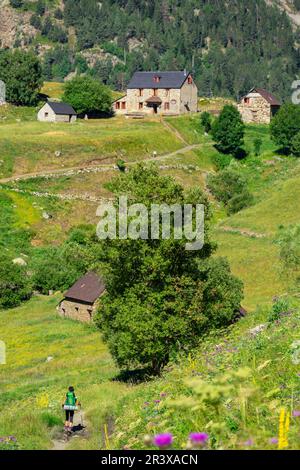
[{"x": 22, "y": 74}]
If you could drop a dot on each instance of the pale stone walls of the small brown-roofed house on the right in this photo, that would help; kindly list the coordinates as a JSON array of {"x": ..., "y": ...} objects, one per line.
[{"x": 256, "y": 110}]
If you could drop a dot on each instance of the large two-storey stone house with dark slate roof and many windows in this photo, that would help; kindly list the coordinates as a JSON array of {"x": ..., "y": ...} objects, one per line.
[{"x": 164, "y": 93}]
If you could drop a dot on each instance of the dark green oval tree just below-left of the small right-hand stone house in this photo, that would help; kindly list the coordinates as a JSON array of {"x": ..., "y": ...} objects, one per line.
[{"x": 228, "y": 130}]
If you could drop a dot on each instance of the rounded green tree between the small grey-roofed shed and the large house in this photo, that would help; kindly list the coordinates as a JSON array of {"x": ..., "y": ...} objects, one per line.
[{"x": 87, "y": 95}]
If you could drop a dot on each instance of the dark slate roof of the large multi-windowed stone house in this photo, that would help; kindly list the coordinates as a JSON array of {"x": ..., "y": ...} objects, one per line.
[{"x": 167, "y": 80}]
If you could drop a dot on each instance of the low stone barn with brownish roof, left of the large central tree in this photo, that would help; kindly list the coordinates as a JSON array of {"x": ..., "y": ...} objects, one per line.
[{"x": 81, "y": 300}]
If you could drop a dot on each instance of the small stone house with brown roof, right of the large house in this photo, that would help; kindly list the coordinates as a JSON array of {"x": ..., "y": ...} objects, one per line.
[{"x": 259, "y": 106}]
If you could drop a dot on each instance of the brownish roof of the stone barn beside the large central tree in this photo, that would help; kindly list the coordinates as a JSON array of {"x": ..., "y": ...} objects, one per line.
[{"x": 87, "y": 289}]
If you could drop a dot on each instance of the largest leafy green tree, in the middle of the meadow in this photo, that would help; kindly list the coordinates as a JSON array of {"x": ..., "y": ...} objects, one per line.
[{"x": 160, "y": 297}]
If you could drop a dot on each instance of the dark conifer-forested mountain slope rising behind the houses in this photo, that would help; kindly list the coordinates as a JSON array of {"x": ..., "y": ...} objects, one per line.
[{"x": 230, "y": 46}]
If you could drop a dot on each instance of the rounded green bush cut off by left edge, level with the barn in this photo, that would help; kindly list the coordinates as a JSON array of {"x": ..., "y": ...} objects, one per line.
[{"x": 15, "y": 285}]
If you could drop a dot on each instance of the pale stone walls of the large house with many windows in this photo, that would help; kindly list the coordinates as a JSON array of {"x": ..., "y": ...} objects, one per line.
[{"x": 180, "y": 101}]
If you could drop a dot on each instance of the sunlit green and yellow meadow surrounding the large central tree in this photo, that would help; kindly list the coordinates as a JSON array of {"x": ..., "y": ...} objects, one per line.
[{"x": 32, "y": 385}]
